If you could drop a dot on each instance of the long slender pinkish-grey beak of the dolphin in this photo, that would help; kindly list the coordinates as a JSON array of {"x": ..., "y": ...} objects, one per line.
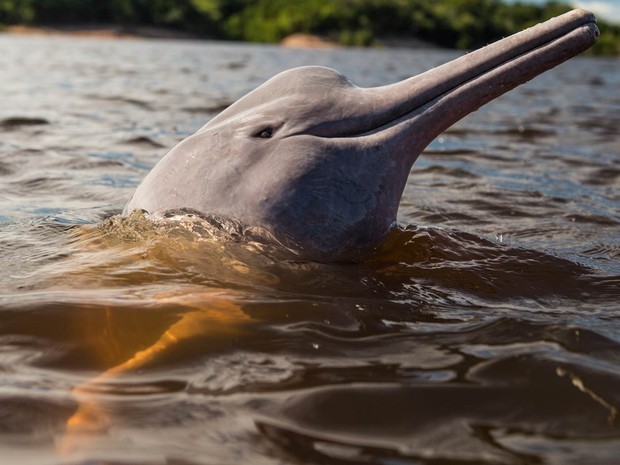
[{"x": 478, "y": 77}]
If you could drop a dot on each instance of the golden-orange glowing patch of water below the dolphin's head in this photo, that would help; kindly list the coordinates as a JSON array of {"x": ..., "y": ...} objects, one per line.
[{"x": 126, "y": 264}]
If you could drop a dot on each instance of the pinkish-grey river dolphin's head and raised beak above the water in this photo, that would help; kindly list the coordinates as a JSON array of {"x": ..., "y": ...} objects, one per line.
[{"x": 320, "y": 163}]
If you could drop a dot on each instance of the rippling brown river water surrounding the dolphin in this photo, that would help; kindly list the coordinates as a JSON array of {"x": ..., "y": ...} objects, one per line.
[{"x": 484, "y": 330}]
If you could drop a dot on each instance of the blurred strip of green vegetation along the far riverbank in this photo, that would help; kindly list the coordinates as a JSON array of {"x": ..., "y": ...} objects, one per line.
[{"x": 463, "y": 24}]
